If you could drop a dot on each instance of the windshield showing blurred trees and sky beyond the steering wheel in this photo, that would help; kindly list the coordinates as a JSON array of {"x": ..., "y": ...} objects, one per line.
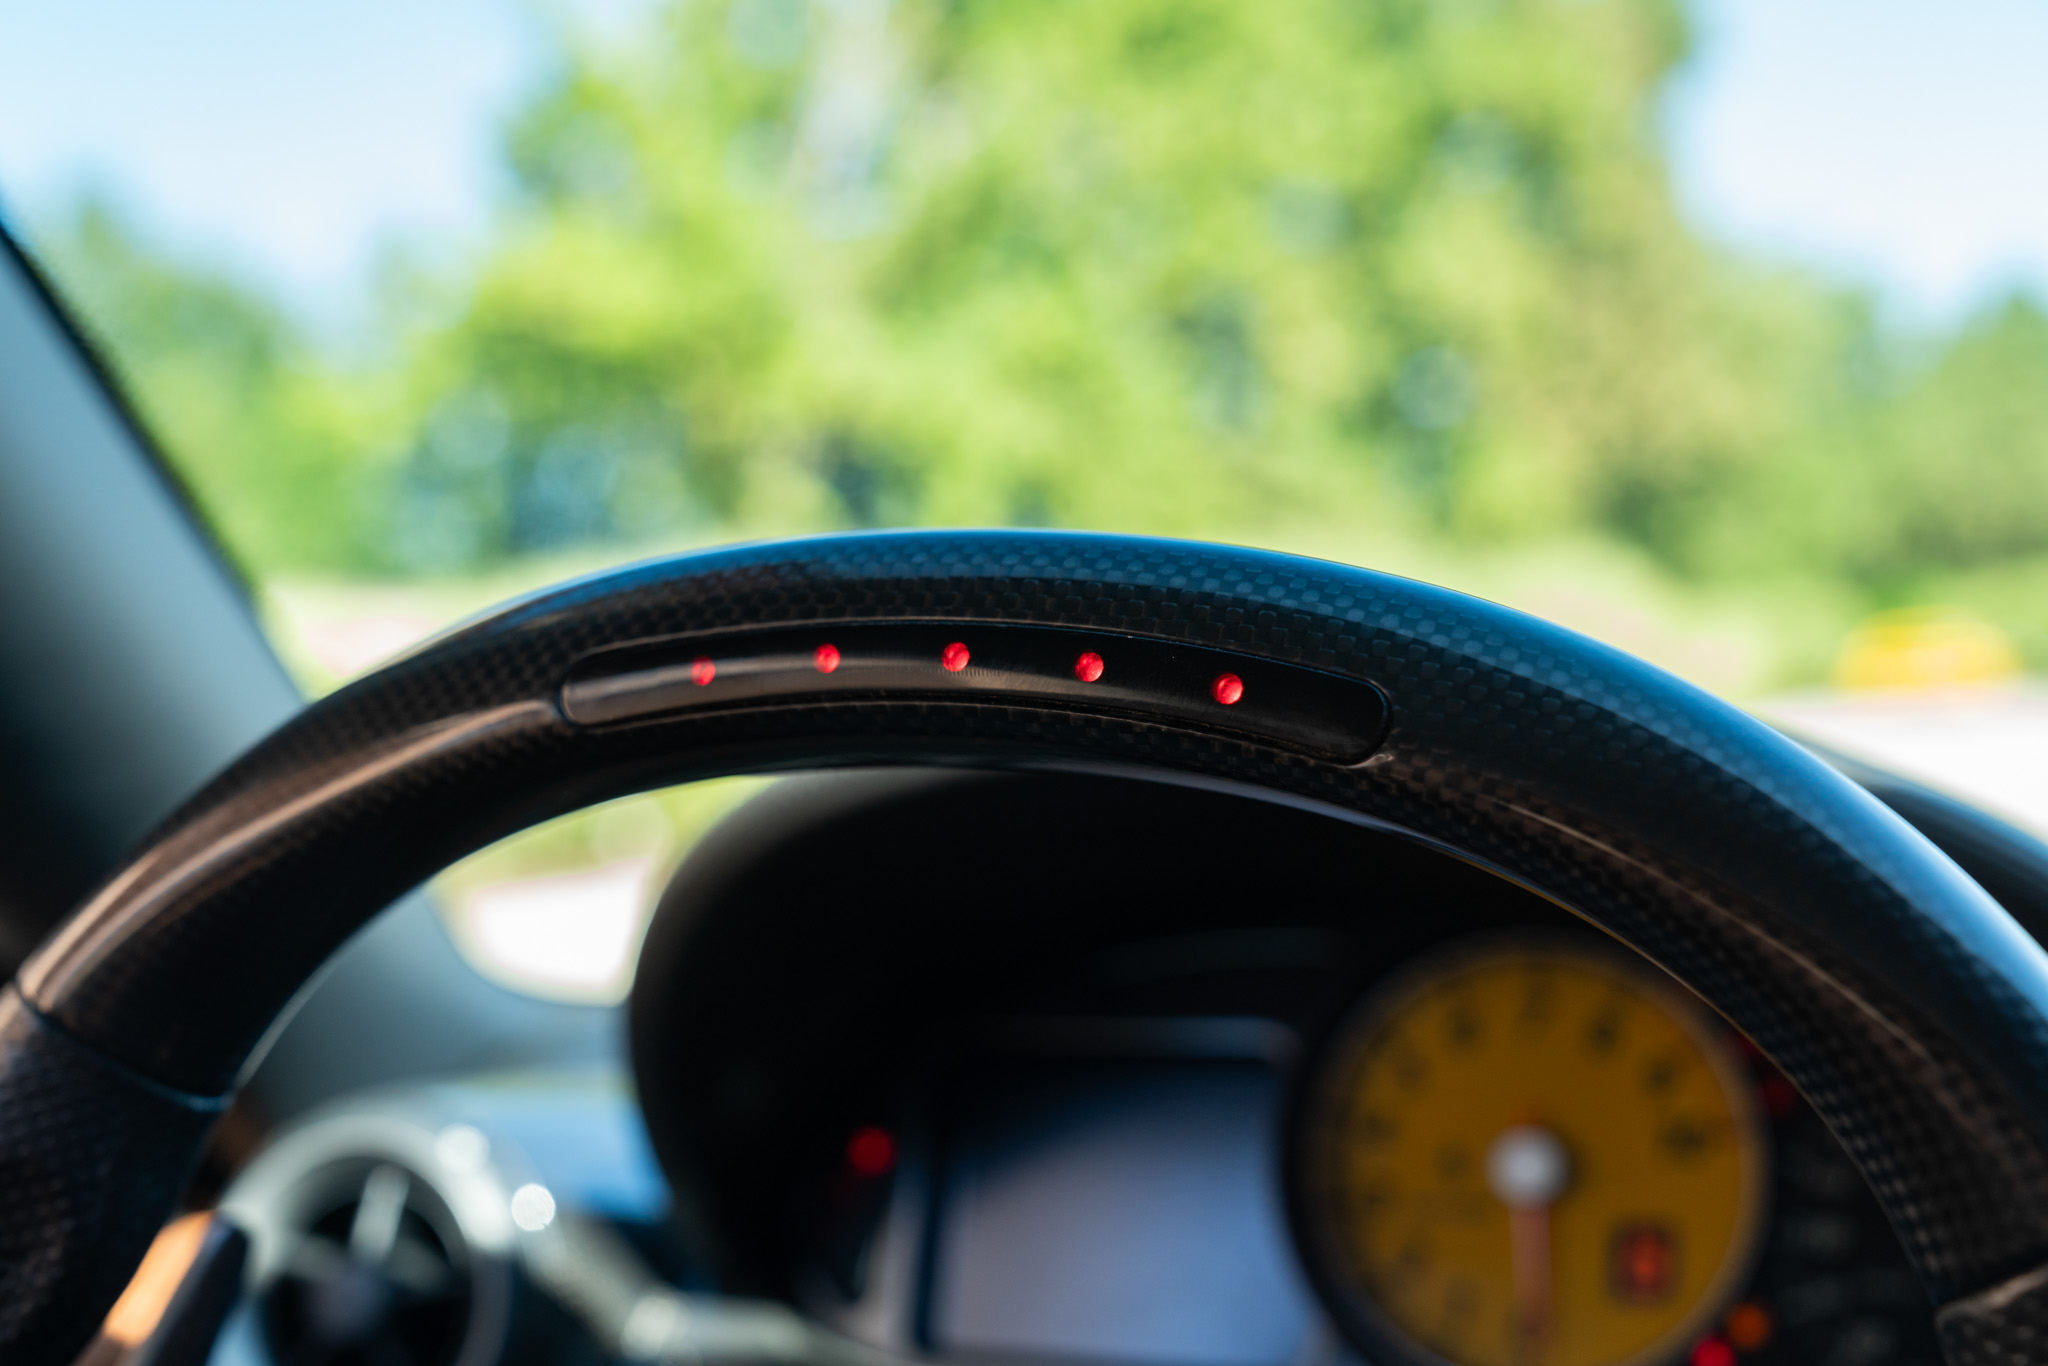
[{"x": 1709, "y": 329}]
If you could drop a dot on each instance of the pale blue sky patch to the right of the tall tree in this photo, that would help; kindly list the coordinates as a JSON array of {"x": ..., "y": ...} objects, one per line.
[{"x": 1904, "y": 142}]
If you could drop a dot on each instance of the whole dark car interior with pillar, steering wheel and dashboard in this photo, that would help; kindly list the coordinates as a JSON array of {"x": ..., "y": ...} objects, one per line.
[{"x": 1148, "y": 953}]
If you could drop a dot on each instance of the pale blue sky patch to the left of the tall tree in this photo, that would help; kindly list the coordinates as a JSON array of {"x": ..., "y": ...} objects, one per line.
[{"x": 290, "y": 138}]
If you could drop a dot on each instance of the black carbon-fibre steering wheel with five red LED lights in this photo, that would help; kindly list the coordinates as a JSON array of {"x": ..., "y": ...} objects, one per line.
[{"x": 1889, "y": 988}]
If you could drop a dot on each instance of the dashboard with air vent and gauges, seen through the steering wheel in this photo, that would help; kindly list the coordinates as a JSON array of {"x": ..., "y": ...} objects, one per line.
[{"x": 978, "y": 1068}]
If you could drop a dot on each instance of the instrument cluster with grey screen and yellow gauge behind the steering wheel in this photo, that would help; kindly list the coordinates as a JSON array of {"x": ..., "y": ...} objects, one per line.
[{"x": 1521, "y": 1148}]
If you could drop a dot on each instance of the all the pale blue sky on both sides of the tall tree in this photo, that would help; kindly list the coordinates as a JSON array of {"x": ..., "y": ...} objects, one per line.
[{"x": 1897, "y": 142}]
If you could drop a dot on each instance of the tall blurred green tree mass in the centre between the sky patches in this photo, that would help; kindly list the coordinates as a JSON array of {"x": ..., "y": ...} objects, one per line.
[{"x": 1183, "y": 267}]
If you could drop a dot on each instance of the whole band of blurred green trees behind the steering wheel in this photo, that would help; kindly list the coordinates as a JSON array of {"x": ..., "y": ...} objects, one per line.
[{"x": 1187, "y": 267}]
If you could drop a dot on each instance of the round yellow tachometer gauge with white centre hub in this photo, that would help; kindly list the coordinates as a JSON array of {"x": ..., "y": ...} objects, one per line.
[{"x": 1531, "y": 1154}]
